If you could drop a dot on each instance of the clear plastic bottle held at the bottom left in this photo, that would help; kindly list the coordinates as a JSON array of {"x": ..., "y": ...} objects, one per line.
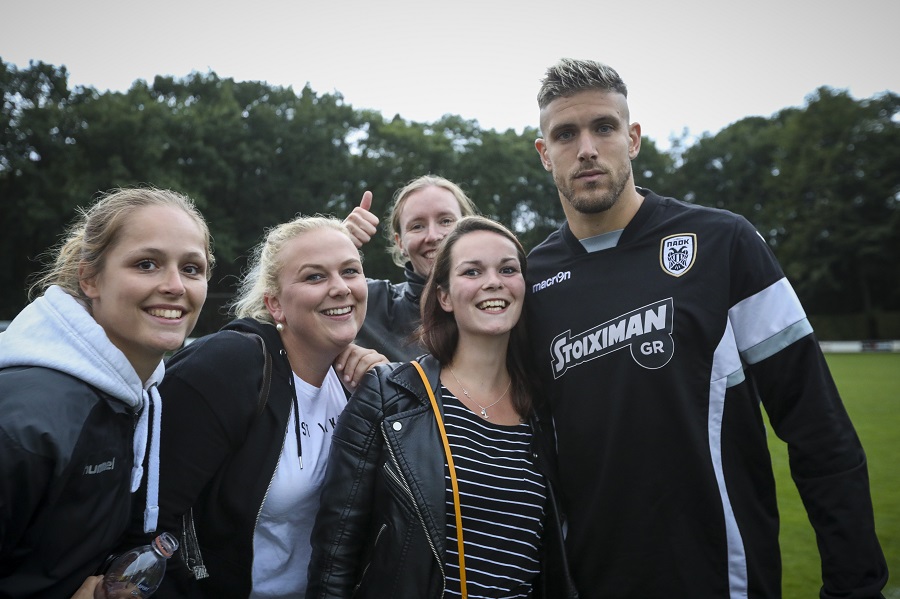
[{"x": 137, "y": 573}]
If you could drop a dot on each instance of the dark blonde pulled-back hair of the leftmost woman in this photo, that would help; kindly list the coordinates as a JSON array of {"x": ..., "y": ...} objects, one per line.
[{"x": 96, "y": 230}]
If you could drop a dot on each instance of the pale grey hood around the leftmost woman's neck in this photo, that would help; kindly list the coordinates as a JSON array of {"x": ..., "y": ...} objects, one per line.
[{"x": 55, "y": 331}]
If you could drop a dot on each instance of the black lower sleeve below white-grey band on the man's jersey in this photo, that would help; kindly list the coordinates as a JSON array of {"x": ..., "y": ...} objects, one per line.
[{"x": 828, "y": 466}]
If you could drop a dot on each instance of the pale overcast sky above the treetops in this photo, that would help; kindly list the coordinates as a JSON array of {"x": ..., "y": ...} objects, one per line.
[{"x": 689, "y": 65}]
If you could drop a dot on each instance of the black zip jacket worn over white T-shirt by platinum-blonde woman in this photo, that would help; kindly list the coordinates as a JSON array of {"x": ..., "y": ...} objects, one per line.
[{"x": 217, "y": 455}]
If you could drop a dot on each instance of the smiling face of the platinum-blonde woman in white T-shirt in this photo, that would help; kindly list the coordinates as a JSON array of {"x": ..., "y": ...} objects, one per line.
[{"x": 322, "y": 291}]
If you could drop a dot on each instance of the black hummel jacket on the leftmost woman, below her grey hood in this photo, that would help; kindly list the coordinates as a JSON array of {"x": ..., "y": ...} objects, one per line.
[{"x": 65, "y": 457}]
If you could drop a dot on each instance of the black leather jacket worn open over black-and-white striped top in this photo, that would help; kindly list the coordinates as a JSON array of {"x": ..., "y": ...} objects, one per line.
[{"x": 371, "y": 540}]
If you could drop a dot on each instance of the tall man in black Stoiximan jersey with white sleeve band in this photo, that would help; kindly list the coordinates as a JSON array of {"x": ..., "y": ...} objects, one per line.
[{"x": 659, "y": 327}]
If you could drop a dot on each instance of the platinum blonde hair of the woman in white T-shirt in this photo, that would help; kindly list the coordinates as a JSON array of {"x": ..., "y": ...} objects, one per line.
[{"x": 261, "y": 276}]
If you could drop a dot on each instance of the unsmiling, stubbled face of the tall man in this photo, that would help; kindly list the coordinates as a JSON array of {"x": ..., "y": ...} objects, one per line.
[{"x": 588, "y": 146}]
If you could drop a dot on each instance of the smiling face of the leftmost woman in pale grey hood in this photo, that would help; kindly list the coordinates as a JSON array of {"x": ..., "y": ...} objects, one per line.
[{"x": 149, "y": 292}]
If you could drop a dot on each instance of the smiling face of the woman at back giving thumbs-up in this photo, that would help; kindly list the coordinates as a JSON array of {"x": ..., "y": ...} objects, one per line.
[{"x": 427, "y": 216}]
